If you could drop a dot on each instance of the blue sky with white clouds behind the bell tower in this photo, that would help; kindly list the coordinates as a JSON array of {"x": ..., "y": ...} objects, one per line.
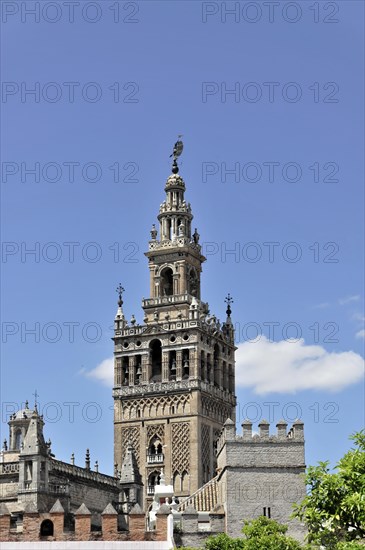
[{"x": 110, "y": 98}]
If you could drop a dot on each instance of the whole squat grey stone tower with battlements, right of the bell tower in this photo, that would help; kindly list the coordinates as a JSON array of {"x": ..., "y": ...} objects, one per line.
[{"x": 260, "y": 474}]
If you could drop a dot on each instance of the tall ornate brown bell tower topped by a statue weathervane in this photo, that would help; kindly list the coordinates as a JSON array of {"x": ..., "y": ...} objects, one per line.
[{"x": 174, "y": 375}]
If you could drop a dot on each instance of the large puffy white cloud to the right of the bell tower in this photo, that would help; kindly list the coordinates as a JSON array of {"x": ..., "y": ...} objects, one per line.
[{"x": 289, "y": 366}]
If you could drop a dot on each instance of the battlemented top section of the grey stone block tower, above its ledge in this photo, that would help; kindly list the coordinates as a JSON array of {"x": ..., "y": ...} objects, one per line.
[{"x": 262, "y": 450}]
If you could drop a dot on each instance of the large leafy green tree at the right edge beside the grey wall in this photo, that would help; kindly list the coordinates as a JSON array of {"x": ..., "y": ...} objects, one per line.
[{"x": 334, "y": 508}]
